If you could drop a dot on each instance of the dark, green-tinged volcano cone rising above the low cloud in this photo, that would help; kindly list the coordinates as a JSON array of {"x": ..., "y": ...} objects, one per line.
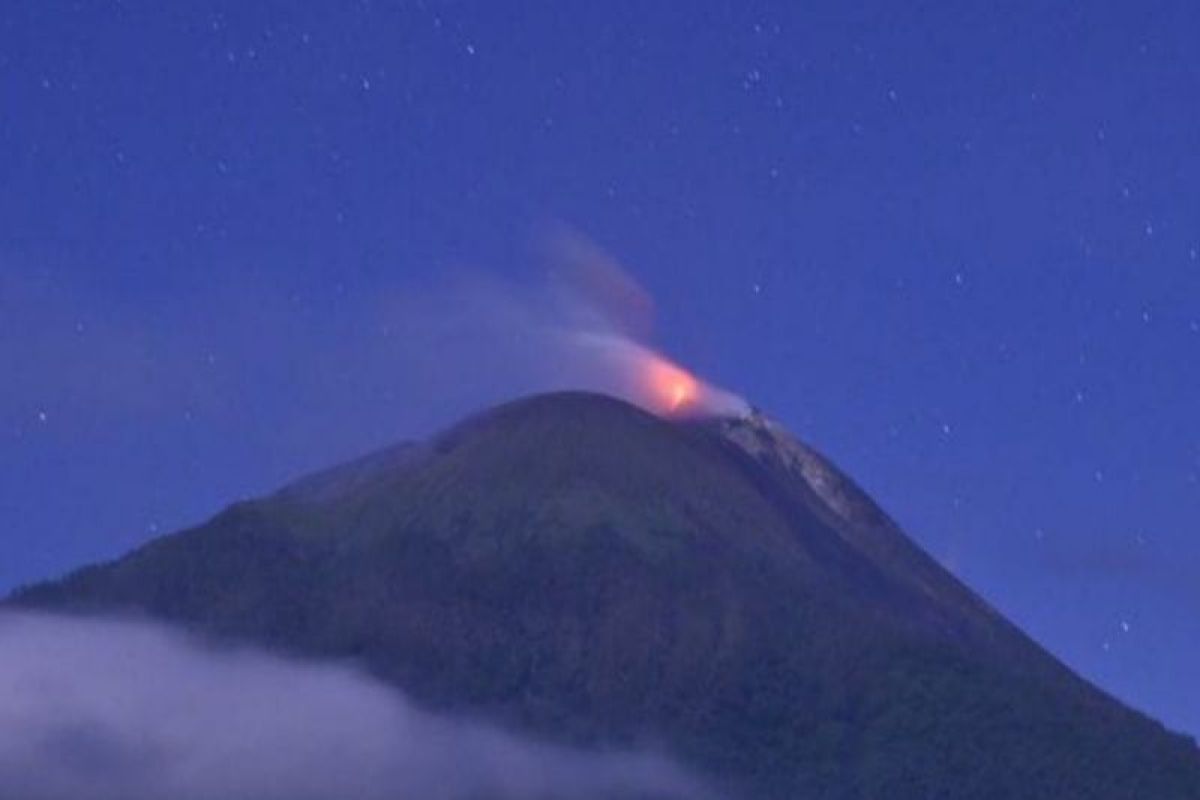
[{"x": 577, "y": 568}]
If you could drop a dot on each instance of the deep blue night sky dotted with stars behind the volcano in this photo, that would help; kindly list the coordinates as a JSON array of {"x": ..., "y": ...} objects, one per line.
[{"x": 956, "y": 248}]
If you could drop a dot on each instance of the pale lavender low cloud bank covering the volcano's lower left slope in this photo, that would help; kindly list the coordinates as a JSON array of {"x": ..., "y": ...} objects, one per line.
[{"x": 121, "y": 711}]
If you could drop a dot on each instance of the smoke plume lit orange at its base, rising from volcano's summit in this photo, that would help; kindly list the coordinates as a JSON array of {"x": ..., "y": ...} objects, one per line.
[{"x": 587, "y": 326}]
